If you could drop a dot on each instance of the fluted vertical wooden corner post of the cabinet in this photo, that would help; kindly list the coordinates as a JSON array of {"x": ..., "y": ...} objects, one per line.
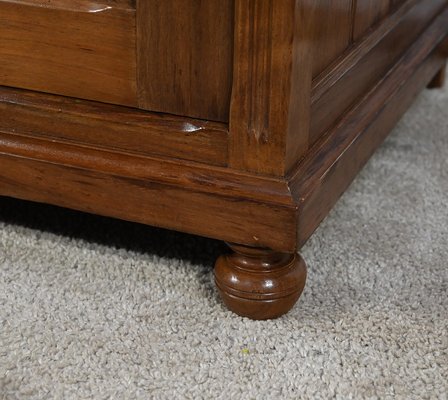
[{"x": 272, "y": 82}]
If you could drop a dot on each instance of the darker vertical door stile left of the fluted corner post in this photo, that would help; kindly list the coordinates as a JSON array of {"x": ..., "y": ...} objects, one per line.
[{"x": 185, "y": 55}]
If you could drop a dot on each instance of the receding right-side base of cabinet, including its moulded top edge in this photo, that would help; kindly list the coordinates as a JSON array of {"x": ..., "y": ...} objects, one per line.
[{"x": 330, "y": 168}]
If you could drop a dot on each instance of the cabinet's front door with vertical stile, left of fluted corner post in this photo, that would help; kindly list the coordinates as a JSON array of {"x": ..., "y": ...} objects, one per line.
[{"x": 171, "y": 56}]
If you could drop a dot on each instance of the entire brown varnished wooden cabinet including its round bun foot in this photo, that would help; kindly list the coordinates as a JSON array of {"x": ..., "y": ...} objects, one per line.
[{"x": 241, "y": 120}]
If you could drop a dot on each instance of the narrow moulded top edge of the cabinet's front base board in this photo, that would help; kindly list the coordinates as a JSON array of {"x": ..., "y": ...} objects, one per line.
[{"x": 191, "y": 176}]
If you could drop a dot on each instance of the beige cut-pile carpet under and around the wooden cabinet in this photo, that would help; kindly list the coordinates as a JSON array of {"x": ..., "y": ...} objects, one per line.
[{"x": 103, "y": 309}]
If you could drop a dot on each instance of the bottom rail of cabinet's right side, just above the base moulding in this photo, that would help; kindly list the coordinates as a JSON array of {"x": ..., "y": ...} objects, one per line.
[{"x": 368, "y": 61}]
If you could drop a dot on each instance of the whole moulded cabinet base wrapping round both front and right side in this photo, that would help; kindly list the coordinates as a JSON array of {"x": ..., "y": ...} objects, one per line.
[{"x": 219, "y": 202}]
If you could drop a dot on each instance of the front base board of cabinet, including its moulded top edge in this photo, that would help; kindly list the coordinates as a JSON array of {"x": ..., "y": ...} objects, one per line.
[{"x": 207, "y": 201}]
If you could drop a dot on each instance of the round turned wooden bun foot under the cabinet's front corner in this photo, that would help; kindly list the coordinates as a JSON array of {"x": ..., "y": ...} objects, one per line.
[{"x": 259, "y": 283}]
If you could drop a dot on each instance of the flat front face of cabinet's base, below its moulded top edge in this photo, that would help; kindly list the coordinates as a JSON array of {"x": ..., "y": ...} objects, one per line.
[{"x": 142, "y": 201}]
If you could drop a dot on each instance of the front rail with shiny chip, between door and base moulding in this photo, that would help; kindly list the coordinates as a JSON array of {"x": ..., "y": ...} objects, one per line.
[{"x": 114, "y": 127}]
